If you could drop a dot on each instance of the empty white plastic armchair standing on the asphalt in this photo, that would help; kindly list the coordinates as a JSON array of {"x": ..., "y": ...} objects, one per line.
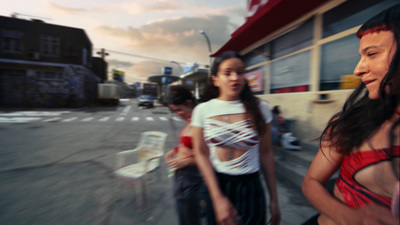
[{"x": 134, "y": 166}]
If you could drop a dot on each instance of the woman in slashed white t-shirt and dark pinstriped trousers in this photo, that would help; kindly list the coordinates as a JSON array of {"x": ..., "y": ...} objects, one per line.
[{"x": 232, "y": 145}]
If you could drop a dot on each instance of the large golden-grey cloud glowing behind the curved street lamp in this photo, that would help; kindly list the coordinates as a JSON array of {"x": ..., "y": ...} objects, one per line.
[{"x": 166, "y": 36}]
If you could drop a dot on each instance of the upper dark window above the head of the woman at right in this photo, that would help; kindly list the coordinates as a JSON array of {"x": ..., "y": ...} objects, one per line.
[{"x": 352, "y": 13}]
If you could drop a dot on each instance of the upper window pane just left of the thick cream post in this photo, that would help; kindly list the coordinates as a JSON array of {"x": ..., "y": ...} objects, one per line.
[{"x": 297, "y": 39}]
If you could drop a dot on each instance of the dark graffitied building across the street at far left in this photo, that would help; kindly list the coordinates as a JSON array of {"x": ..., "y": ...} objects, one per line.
[{"x": 45, "y": 65}]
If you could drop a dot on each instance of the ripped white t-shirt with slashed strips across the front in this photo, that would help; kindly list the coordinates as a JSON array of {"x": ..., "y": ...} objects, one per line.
[{"x": 240, "y": 135}]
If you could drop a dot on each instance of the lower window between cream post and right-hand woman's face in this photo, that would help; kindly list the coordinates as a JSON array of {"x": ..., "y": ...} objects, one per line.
[{"x": 338, "y": 58}]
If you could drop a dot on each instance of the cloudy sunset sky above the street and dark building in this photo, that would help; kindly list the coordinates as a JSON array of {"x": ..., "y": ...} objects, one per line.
[{"x": 142, "y": 36}]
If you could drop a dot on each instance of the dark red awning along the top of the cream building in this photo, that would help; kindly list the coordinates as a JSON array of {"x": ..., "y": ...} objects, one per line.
[{"x": 272, "y": 16}]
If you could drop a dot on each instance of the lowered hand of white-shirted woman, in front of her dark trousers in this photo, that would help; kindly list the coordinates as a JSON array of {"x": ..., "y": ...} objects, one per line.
[{"x": 225, "y": 213}]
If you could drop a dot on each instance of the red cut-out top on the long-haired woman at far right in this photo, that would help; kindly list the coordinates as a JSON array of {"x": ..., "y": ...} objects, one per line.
[{"x": 354, "y": 194}]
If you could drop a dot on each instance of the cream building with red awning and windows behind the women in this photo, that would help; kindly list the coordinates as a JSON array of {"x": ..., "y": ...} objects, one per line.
[{"x": 301, "y": 55}]
